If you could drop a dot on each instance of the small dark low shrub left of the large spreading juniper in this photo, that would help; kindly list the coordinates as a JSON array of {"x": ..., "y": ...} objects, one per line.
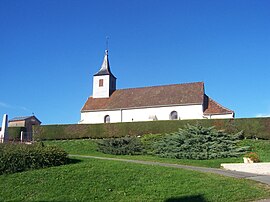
[{"x": 121, "y": 146}]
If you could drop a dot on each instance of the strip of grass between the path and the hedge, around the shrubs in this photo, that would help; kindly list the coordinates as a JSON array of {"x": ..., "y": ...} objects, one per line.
[{"x": 88, "y": 147}]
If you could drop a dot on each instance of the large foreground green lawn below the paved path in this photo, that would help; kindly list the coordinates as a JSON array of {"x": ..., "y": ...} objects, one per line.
[{"x": 99, "y": 180}]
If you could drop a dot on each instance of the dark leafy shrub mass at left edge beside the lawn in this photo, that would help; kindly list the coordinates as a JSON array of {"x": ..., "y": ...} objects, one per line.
[{"x": 21, "y": 157}]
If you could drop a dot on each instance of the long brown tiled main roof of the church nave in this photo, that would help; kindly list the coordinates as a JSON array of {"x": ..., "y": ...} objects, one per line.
[{"x": 177, "y": 94}]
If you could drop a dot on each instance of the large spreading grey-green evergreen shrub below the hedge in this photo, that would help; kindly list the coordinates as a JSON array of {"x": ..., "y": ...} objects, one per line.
[{"x": 198, "y": 142}]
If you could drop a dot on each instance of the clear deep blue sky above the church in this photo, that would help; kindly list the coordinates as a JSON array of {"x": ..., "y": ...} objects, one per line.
[{"x": 49, "y": 50}]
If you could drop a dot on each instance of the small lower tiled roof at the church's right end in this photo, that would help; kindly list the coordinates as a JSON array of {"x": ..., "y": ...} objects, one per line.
[{"x": 212, "y": 107}]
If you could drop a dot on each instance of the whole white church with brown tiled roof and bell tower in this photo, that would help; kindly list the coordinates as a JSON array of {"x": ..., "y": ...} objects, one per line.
[{"x": 167, "y": 102}]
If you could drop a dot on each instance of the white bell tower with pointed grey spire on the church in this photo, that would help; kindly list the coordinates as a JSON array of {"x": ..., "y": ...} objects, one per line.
[{"x": 104, "y": 82}]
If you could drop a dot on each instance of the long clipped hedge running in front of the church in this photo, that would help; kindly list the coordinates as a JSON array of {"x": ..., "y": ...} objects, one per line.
[{"x": 252, "y": 127}]
